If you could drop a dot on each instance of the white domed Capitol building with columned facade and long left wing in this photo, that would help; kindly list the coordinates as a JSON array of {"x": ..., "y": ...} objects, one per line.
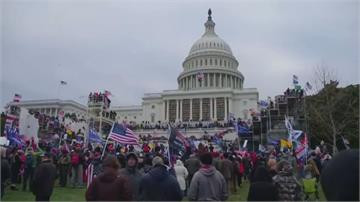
[{"x": 210, "y": 88}]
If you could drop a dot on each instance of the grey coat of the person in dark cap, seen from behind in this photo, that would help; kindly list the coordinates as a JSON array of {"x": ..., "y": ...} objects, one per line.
[{"x": 208, "y": 184}]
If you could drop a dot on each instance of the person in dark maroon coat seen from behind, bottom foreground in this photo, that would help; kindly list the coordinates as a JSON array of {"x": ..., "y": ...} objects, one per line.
[{"x": 109, "y": 186}]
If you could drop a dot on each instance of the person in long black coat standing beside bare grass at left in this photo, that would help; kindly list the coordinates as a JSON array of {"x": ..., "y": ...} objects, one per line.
[{"x": 44, "y": 179}]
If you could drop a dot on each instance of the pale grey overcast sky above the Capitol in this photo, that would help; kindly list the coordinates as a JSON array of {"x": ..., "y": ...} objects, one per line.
[{"x": 136, "y": 47}]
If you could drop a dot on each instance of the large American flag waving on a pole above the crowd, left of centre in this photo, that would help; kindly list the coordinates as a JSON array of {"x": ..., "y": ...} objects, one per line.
[{"x": 123, "y": 135}]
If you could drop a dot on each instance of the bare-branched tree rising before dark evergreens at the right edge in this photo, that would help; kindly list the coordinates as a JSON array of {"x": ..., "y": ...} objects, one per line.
[{"x": 331, "y": 110}]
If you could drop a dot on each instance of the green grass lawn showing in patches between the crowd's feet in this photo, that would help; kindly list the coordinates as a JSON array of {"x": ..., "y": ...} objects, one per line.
[{"x": 78, "y": 194}]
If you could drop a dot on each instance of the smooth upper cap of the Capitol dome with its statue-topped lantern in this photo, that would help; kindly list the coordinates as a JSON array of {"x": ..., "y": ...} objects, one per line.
[{"x": 210, "y": 41}]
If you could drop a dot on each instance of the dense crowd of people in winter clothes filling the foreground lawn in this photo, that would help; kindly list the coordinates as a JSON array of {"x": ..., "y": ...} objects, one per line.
[{"x": 153, "y": 174}]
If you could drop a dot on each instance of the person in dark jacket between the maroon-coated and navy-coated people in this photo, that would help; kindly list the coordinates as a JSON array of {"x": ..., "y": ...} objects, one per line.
[{"x": 132, "y": 172}]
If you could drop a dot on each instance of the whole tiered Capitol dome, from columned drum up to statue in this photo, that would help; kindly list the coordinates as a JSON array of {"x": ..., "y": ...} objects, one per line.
[{"x": 210, "y": 63}]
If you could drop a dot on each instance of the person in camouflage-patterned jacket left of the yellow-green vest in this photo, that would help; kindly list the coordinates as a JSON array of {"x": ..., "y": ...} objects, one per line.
[{"x": 288, "y": 187}]
